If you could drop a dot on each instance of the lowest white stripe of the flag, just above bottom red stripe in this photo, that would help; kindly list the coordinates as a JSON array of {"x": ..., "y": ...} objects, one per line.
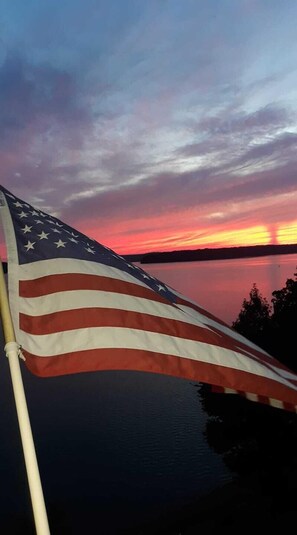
[{"x": 117, "y": 337}]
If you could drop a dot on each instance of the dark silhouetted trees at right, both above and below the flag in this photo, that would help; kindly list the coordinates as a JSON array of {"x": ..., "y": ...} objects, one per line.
[{"x": 253, "y": 438}]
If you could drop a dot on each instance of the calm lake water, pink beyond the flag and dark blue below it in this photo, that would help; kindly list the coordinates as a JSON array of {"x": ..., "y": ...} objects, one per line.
[{"x": 119, "y": 449}]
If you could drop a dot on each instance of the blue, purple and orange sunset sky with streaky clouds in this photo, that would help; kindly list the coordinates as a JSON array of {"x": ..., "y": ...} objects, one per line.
[{"x": 153, "y": 125}]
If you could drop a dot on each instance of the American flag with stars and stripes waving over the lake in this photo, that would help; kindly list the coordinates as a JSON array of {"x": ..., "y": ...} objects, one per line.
[{"x": 77, "y": 306}]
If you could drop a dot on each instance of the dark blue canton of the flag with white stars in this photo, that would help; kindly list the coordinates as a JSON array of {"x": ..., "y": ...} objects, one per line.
[{"x": 40, "y": 236}]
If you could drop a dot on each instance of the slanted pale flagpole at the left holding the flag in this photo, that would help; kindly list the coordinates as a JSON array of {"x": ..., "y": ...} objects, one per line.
[{"x": 12, "y": 350}]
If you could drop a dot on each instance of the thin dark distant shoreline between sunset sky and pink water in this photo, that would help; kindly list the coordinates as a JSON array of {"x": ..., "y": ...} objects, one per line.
[{"x": 223, "y": 253}]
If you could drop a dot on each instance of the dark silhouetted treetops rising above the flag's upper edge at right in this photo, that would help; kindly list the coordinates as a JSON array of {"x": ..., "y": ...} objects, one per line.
[{"x": 272, "y": 327}]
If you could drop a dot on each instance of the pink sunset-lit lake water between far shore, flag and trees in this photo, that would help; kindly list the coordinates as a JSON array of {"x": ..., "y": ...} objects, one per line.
[{"x": 221, "y": 285}]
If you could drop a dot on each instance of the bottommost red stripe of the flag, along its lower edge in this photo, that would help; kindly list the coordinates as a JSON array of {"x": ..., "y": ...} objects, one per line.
[{"x": 146, "y": 361}]
